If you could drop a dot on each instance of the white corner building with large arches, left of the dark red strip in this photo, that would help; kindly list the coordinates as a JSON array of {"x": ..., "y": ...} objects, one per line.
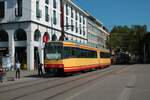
[{"x": 24, "y": 24}]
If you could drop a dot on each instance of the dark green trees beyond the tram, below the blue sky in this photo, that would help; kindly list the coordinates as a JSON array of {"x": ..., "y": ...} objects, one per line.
[{"x": 128, "y": 39}]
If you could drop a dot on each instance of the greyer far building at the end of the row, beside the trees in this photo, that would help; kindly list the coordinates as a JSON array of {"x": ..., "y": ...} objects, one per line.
[{"x": 97, "y": 33}]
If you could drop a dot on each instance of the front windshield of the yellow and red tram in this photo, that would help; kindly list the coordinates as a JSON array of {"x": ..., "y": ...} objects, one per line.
[{"x": 53, "y": 51}]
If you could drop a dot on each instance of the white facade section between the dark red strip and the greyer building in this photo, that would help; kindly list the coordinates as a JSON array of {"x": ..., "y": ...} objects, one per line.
[{"x": 76, "y": 17}]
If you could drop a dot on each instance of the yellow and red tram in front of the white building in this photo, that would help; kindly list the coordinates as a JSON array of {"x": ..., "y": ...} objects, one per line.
[{"x": 69, "y": 57}]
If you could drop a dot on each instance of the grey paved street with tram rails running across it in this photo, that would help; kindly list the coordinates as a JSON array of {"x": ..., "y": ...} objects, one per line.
[{"x": 118, "y": 82}]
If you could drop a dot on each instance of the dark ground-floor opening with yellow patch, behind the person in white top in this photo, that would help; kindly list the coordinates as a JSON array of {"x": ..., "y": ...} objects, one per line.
[{"x": 21, "y": 56}]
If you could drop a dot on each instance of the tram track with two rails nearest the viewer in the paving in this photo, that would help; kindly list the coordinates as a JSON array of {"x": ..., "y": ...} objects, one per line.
[{"x": 62, "y": 84}]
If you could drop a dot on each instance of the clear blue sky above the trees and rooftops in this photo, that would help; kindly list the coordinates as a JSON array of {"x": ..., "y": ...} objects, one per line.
[{"x": 118, "y": 12}]
